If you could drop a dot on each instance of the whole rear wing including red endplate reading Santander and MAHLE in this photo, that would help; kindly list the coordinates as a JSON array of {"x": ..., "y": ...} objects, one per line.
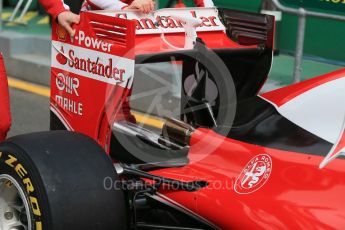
[{"x": 246, "y": 49}]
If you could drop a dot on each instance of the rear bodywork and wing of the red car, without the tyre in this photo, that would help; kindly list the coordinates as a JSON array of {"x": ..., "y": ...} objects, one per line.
[{"x": 262, "y": 173}]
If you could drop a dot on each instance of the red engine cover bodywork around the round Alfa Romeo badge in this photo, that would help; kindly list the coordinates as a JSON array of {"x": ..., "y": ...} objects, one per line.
[{"x": 297, "y": 195}]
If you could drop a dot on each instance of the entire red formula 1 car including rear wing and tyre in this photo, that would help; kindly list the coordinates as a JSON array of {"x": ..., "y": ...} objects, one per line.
[{"x": 230, "y": 159}]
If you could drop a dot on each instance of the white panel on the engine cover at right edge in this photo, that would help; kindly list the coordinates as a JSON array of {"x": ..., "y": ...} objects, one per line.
[{"x": 320, "y": 110}]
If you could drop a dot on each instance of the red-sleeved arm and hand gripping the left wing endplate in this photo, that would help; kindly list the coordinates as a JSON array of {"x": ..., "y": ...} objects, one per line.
[{"x": 60, "y": 12}]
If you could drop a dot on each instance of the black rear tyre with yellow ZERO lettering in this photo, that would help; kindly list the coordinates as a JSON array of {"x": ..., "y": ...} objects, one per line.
[{"x": 55, "y": 180}]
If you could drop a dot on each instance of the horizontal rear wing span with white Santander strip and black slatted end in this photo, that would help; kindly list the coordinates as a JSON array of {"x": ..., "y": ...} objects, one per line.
[{"x": 220, "y": 29}]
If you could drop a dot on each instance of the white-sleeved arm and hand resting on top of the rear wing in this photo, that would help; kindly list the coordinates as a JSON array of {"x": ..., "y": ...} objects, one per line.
[{"x": 144, "y": 6}]
